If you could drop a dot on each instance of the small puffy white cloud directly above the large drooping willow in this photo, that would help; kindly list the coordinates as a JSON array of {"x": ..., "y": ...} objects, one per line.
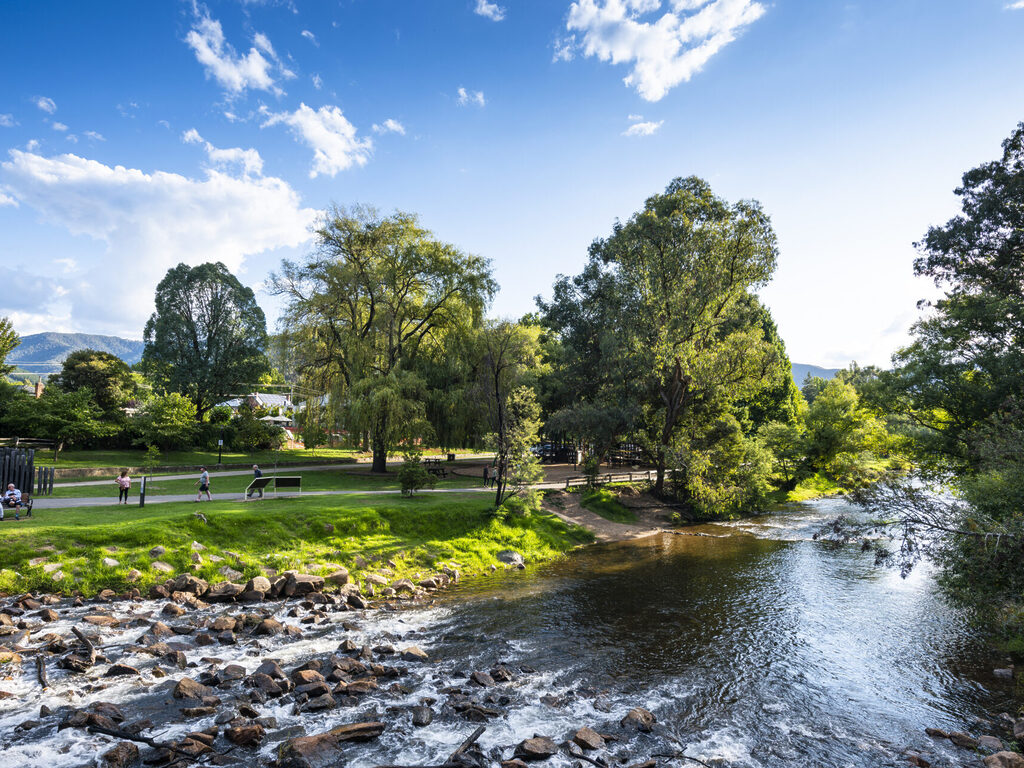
[{"x": 328, "y": 133}]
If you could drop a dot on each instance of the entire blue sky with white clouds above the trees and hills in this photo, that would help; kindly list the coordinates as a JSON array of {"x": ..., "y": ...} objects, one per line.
[{"x": 135, "y": 137}]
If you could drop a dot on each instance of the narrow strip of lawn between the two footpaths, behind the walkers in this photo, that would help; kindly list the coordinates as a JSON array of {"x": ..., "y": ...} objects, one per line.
[{"x": 327, "y": 480}]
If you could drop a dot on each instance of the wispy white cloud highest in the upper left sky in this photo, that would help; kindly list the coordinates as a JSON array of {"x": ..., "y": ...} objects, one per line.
[{"x": 258, "y": 70}]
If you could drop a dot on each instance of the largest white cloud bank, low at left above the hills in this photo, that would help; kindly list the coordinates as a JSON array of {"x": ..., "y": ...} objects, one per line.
[{"x": 149, "y": 223}]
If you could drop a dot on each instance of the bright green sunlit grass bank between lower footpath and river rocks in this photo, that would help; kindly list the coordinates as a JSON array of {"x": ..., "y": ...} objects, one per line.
[{"x": 304, "y": 534}]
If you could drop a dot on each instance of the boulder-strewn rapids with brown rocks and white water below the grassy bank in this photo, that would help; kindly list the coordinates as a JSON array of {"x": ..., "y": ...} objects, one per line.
[{"x": 295, "y": 671}]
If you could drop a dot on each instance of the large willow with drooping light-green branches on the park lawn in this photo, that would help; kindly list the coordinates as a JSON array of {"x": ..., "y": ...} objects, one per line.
[{"x": 374, "y": 295}]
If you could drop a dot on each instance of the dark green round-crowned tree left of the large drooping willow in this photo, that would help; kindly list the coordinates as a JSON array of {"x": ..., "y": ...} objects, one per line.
[{"x": 206, "y": 339}]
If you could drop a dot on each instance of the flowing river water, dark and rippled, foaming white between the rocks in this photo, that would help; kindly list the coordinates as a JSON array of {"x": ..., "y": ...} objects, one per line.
[{"x": 754, "y": 646}]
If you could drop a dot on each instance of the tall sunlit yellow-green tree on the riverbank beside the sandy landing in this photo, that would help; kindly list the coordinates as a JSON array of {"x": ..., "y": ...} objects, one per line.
[{"x": 655, "y": 325}]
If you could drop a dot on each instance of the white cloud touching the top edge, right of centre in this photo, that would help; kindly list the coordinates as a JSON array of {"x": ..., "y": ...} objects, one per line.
[{"x": 666, "y": 51}]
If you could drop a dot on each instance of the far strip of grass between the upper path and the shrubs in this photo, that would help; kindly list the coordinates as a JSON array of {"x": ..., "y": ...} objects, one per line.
[{"x": 136, "y": 457}]
